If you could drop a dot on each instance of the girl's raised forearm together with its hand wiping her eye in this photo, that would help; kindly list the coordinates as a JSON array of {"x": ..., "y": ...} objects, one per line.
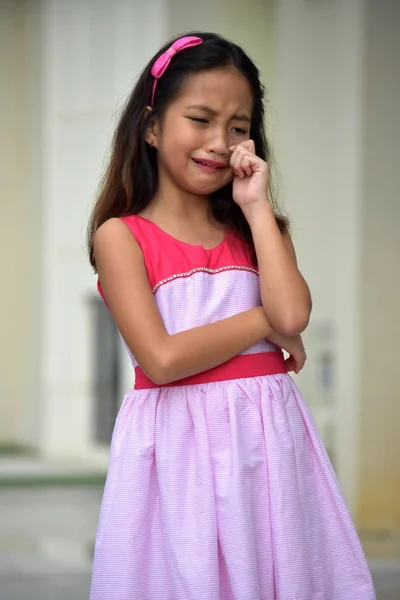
[{"x": 285, "y": 294}]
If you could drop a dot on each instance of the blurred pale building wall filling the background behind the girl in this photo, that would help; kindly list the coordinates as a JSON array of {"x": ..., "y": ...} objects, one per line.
[{"x": 333, "y": 81}]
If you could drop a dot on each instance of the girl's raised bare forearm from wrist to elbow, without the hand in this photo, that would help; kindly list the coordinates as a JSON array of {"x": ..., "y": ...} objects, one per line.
[{"x": 284, "y": 292}]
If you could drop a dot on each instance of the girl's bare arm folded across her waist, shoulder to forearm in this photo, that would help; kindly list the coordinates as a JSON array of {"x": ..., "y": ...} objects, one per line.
[{"x": 163, "y": 357}]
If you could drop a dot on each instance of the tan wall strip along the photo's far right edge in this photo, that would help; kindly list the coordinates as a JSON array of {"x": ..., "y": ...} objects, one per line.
[{"x": 380, "y": 418}]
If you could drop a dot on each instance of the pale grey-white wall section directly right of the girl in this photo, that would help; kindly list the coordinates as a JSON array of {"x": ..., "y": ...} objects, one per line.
[{"x": 318, "y": 101}]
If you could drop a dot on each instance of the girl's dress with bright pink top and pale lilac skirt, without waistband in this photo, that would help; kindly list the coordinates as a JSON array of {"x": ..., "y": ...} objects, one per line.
[{"x": 220, "y": 490}]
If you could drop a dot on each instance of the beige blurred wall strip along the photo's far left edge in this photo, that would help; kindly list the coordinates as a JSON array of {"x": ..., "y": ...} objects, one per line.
[{"x": 19, "y": 223}]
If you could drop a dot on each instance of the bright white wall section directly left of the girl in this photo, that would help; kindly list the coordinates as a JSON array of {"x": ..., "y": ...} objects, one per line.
[{"x": 92, "y": 52}]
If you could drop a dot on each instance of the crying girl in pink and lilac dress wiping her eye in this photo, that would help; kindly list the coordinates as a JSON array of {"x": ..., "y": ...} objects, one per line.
[{"x": 219, "y": 487}]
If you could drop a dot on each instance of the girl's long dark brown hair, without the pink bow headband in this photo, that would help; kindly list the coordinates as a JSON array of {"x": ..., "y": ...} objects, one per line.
[{"x": 131, "y": 178}]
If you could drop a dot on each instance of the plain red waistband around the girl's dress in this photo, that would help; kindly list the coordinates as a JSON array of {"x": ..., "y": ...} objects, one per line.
[{"x": 245, "y": 365}]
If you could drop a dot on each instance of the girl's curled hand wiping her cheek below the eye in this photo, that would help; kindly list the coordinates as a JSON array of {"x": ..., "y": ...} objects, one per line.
[{"x": 250, "y": 184}]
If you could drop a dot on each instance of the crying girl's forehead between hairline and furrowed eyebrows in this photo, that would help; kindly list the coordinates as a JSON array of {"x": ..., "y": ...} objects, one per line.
[{"x": 220, "y": 89}]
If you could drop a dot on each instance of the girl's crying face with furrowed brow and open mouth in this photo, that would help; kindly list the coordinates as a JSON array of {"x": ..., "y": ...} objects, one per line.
[{"x": 211, "y": 114}]
